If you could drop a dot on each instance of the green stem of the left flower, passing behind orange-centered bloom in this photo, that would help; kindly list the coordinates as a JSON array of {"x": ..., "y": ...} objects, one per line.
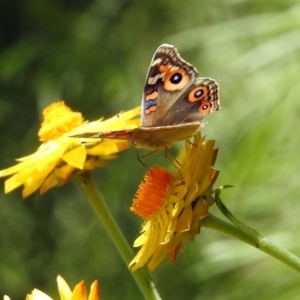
[{"x": 142, "y": 279}]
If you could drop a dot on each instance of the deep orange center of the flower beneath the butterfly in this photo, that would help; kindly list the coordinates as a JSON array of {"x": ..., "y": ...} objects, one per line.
[{"x": 152, "y": 193}]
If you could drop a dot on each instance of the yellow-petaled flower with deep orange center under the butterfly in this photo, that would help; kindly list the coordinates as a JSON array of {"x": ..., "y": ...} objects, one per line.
[{"x": 173, "y": 204}]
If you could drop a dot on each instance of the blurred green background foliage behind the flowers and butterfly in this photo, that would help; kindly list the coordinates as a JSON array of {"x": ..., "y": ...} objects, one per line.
[{"x": 95, "y": 55}]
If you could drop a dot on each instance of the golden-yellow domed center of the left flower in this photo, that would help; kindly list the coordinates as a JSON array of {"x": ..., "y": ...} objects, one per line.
[{"x": 58, "y": 119}]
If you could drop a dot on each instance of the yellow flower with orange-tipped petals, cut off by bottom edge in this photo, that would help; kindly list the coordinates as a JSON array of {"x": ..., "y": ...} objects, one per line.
[{"x": 79, "y": 292}]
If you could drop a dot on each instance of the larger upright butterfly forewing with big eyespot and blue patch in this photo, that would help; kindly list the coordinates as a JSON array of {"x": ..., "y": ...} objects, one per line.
[{"x": 168, "y": 78}]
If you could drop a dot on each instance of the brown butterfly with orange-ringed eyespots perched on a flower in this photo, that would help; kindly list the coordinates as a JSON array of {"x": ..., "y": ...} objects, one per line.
[{"x": 173, "y": 105}]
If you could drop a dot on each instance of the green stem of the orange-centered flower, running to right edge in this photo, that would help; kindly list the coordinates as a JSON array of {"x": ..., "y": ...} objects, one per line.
[{"x": 257, "y": 241}]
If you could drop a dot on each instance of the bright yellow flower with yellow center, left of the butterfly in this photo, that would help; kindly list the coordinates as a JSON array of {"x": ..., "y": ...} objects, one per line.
[{"x": 60, "y": 155}]
